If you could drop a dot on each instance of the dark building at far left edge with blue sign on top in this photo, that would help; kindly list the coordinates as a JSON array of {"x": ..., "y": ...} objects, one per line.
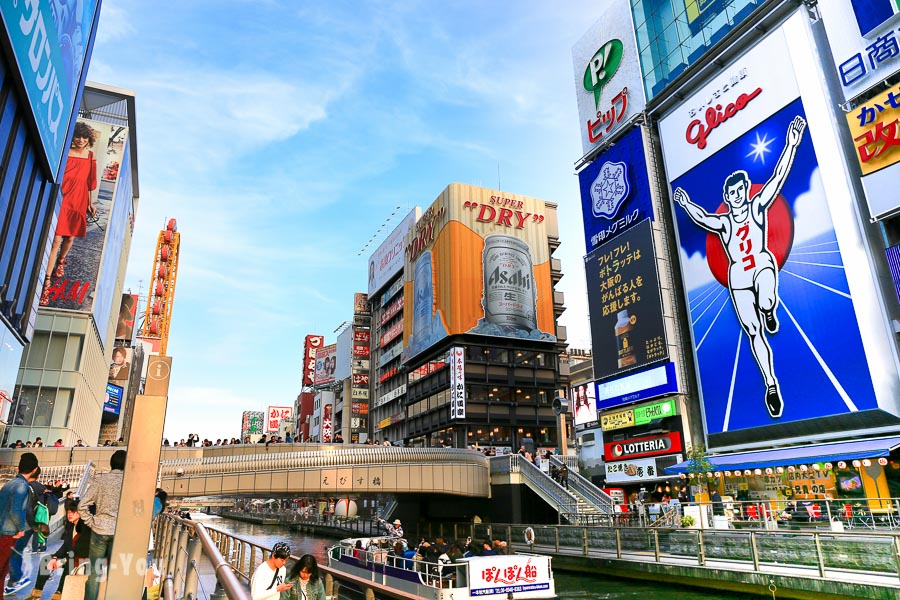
[{"x": 36, "y": 128}]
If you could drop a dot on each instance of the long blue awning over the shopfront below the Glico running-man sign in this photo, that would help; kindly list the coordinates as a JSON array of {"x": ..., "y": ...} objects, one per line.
[{"x": 779, "y": 457}]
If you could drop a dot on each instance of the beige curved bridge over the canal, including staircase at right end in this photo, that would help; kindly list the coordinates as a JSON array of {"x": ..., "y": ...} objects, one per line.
[{"x": 284, "y": 470}]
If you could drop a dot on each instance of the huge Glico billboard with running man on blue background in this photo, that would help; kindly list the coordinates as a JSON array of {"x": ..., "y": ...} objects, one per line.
[{"x": 782, "y": 331}]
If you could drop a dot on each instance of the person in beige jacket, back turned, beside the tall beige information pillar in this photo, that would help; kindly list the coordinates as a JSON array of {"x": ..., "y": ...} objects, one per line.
[{"x": 103, "y": 492}]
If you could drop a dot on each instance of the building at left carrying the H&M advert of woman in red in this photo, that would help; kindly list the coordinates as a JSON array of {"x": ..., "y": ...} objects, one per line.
[{"x": 61, "y": 390}]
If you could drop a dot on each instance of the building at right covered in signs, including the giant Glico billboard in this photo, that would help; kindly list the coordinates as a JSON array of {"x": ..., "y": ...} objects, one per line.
[{"x": 770, "y": 147}]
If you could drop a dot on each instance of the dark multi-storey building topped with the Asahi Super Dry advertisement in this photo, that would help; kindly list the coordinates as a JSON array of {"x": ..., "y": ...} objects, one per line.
[{"x": 479, "y": 362}]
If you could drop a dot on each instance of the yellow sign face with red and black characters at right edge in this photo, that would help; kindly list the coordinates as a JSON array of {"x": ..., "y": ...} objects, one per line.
[{"x": 876, "y": 131}]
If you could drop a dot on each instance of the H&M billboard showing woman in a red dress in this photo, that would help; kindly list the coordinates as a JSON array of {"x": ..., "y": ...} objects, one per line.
[{"x": 88, "y": 202}]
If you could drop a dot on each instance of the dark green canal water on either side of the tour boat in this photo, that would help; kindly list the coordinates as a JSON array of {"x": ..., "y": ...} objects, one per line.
[{"x": 568, "y": 585}]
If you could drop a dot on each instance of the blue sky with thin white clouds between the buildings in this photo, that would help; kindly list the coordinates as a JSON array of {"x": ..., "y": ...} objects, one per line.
[{"x": 281, "y": 135}]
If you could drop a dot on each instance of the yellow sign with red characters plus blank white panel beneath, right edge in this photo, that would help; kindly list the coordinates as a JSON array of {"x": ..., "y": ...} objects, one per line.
[{"x": 874, "y": 128}]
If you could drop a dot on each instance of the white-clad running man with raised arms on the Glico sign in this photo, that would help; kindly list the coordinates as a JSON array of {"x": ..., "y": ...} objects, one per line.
[{"x": 752, "y": 271}]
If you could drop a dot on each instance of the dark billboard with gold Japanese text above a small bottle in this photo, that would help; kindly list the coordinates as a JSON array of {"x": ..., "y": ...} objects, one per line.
[{"x": 627, "y": 328}]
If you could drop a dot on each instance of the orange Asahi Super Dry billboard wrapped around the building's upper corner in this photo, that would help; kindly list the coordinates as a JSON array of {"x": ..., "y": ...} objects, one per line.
[{"x": 478, "y": 262}]
